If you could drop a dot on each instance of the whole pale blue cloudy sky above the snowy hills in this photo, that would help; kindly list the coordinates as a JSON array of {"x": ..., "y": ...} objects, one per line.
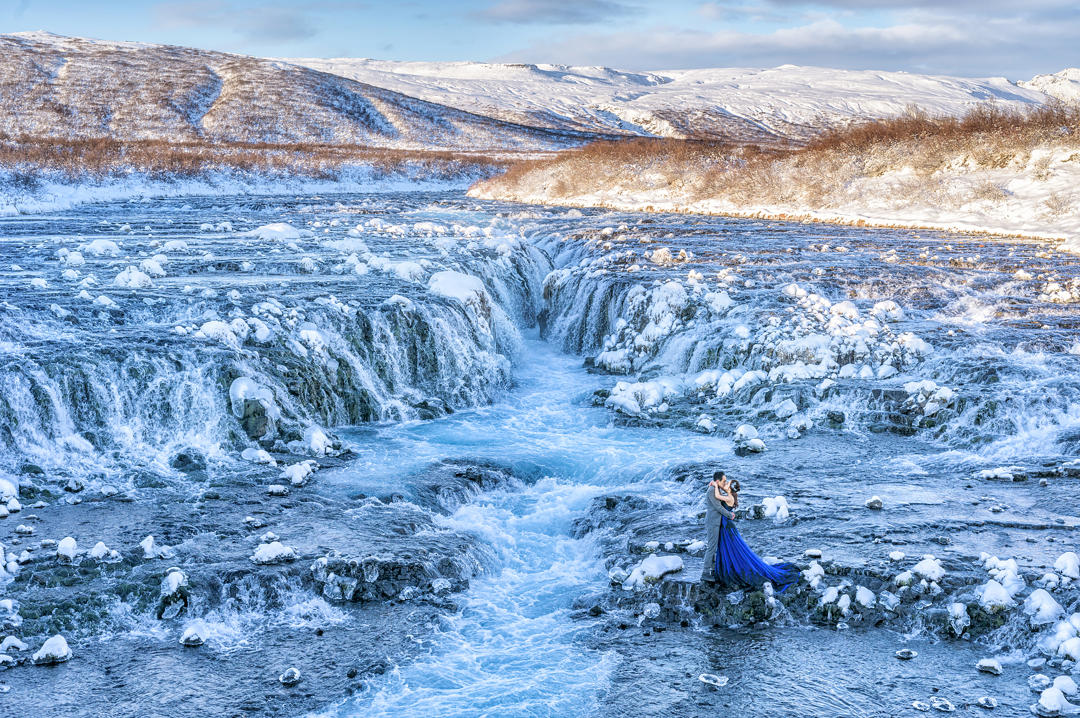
[{"x": 973, "y": 38}]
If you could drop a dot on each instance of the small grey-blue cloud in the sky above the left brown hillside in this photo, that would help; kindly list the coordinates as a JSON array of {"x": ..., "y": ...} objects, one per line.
[{"x": 260, "y": 24}]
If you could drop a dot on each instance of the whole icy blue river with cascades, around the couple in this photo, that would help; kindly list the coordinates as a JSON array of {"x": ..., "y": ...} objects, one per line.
[{"x": 151, "y": 350}]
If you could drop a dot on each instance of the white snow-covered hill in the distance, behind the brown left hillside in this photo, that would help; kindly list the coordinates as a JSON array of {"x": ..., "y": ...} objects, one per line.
[{"x": 725, "y": 103}]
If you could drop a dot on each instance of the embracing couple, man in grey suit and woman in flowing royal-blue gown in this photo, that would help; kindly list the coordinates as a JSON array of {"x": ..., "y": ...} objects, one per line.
[{"x": 728, "y": 560}]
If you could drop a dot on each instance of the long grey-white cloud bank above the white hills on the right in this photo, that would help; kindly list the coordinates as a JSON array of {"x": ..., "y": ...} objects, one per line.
[{"x": 925, "y": 43}]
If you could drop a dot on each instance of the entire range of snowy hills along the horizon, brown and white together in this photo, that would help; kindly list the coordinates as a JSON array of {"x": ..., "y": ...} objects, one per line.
[{"x": 78, "y": 89}]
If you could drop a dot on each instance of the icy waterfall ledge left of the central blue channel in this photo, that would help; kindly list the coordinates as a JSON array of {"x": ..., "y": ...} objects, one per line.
[{"x": 100, "y": 375}]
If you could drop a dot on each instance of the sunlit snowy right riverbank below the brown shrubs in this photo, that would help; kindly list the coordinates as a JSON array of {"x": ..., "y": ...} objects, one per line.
[{"x": 1029, "y": 194}]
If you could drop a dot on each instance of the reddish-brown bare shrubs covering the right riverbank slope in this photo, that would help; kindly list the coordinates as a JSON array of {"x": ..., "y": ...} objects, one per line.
[{"x": 817, "y": 174}]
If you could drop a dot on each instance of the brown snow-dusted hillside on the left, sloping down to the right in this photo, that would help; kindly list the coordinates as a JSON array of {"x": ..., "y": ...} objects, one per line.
[{"x": 72, "y": 89}]
